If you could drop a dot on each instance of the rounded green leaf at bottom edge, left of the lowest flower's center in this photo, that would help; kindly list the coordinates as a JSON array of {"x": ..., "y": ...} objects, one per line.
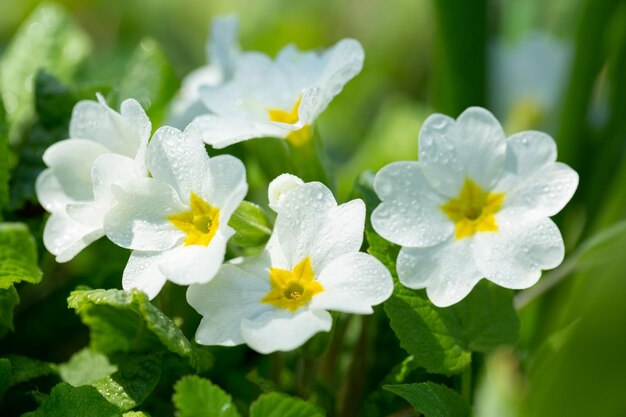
[{"x": 195, "y": 396}]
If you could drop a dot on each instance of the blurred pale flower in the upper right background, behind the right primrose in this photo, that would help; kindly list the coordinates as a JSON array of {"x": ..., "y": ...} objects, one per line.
[{"x": 527, "y": 79}]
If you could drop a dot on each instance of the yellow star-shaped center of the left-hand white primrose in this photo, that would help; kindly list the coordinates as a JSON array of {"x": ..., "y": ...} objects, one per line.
[{"x": 200, "y": 224}]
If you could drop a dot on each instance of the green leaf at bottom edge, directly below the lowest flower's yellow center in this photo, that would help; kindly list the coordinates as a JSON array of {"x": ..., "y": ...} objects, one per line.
[{"x": 280, "y": 405}]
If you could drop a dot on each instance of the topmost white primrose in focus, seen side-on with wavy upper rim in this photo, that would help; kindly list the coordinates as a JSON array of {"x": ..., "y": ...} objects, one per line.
[{"x": 280, "y": 98}]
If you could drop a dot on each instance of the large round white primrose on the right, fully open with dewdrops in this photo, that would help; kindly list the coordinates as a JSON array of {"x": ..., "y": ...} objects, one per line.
[{"x": 476, "y": 204}]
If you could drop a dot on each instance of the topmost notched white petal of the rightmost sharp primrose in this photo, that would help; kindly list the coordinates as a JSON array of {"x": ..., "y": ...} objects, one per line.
[{"x": 471, "y": 147}]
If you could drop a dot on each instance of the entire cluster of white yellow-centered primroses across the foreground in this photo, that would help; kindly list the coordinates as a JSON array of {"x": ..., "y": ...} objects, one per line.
[{"x": 476, "y": 205}]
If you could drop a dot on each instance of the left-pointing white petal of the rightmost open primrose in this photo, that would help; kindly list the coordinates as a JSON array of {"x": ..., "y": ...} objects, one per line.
[{"x": 410, "y": 213}]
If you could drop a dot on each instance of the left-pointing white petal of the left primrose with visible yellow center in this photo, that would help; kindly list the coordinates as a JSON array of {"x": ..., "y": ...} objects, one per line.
[{"x": 139, "y": 219}]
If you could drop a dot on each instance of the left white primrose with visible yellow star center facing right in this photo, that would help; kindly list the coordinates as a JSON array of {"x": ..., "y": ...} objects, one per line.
[{"x": 176, "y": 222}]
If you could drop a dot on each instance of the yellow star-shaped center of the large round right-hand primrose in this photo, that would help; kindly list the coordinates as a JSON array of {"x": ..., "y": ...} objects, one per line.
[{"x": 473, "y": 210}]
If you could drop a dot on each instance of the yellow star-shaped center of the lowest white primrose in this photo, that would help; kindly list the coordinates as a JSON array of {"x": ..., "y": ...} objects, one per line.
[{"x": 292, "y": 289}]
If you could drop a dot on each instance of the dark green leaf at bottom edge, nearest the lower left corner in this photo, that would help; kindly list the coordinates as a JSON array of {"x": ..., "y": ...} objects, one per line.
[{"x": 68, "y": 401}]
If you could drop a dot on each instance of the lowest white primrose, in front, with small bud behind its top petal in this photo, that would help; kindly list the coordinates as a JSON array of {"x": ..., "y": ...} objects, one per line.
[{"x": 277, "y": 300}]
